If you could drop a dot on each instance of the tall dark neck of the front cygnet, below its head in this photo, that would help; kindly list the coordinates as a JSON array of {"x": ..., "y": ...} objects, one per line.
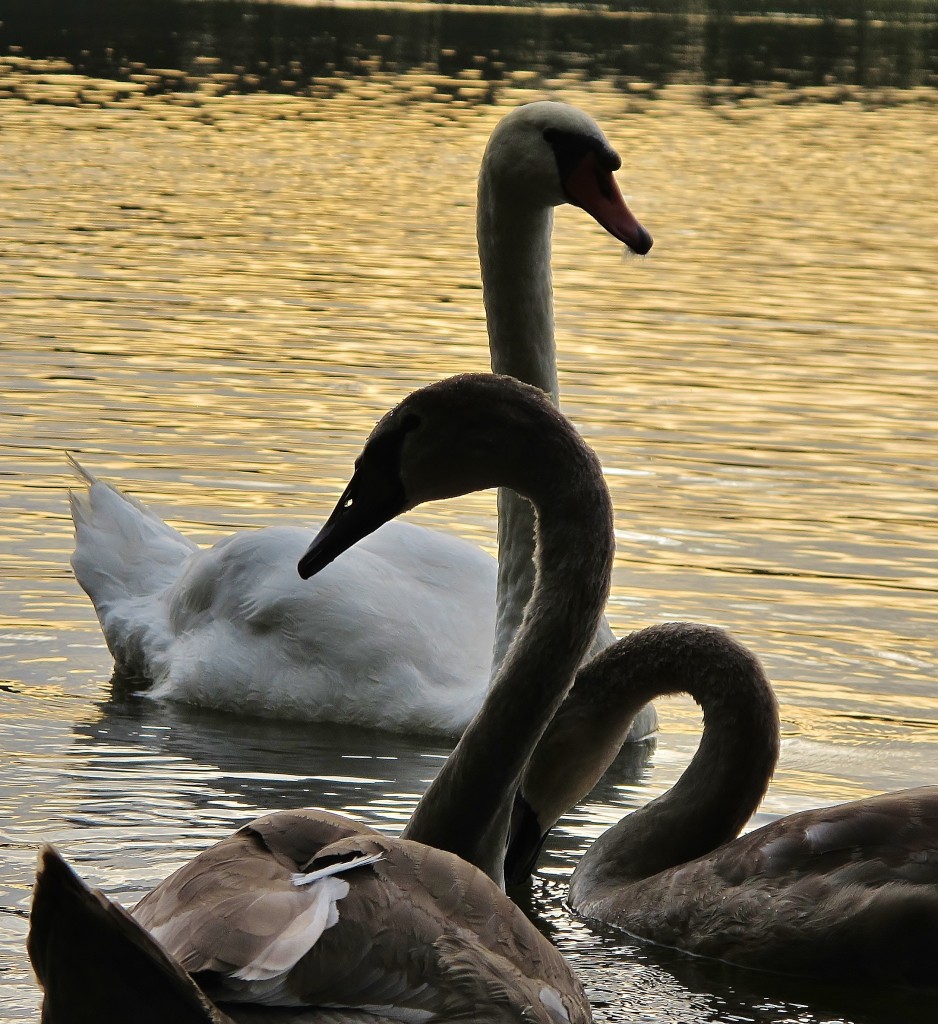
[{"x": 467, "y": 807}]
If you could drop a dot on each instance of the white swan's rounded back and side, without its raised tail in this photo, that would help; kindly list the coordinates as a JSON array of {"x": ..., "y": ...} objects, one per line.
[{"x": 374, "y": 642}]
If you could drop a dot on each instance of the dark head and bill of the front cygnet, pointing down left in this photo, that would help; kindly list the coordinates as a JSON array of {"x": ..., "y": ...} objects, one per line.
[{"x": 465, "y": 434}]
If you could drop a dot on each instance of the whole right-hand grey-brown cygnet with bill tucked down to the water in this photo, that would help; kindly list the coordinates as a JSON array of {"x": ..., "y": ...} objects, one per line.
[{"x": 848, "y": 891}]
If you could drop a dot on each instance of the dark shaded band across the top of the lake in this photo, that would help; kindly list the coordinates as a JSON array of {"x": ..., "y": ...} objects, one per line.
[{"x": 285, "y": 48}]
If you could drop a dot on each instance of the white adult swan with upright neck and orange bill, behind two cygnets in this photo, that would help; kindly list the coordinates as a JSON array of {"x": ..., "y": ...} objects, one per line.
[{"x": 400, "y": 634}]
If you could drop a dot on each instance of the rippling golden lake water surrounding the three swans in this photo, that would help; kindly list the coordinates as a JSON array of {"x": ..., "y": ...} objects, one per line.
[{"x": 235, "y": 235}]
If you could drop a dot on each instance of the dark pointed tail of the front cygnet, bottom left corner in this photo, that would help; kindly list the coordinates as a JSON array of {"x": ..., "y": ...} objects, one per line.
[{"x": 96, "y": 963}]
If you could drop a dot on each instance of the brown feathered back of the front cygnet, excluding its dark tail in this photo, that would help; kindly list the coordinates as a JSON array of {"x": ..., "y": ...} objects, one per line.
[{"x": 401, "y": 929}]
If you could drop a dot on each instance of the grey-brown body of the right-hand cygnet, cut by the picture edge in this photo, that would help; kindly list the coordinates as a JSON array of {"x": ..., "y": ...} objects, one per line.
[{"x": 843, "y": 892}]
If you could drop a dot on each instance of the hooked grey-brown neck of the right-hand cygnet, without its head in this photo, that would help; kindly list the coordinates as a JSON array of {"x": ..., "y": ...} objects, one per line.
[{"x": 728, "y": 778}]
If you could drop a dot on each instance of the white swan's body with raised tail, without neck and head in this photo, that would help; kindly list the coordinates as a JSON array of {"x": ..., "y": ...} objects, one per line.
[{"x": 233, "y": 627}]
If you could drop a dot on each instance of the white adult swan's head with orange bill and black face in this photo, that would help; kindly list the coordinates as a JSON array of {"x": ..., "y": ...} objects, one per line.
[{"x": 546, "y": 154}]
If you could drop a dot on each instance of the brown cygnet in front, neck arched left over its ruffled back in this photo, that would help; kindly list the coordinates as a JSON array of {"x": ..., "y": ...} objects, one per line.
[{"x": 311, "y": 909}]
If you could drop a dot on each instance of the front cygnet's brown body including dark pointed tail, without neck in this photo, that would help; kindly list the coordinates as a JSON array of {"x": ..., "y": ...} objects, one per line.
[{"x": 386, "y": 930}]
